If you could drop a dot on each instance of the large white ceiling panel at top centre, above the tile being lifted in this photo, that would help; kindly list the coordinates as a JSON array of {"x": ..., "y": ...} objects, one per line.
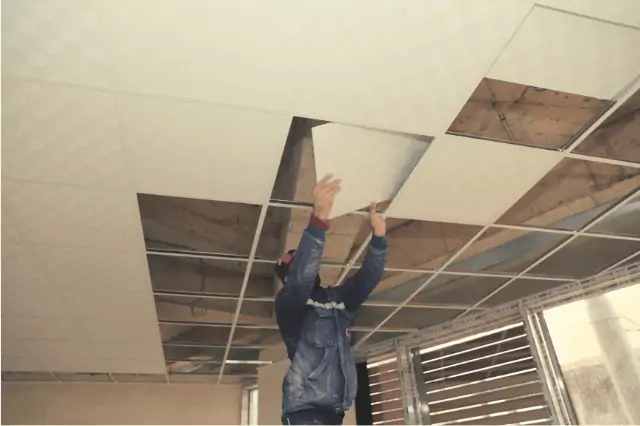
[{"x": 400, "y": 70}]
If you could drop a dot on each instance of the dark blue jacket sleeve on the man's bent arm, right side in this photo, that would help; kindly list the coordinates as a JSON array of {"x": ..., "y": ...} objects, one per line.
[{"x": 356, "y": 289}]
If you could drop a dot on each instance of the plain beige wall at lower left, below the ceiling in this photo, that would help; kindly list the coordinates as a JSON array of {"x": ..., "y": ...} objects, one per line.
[{"x": 108, "y": 403}]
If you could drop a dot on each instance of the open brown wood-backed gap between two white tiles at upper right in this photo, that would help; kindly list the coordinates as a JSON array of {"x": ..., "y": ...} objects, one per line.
[{"x": 526, "y": 115}]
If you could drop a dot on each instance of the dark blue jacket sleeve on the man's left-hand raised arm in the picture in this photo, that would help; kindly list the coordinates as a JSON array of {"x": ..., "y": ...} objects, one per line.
[{"x": 304, "y": 267}]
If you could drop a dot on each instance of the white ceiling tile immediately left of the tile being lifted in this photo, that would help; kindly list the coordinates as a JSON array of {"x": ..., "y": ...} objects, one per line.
[{"x": 199, "y": 151}]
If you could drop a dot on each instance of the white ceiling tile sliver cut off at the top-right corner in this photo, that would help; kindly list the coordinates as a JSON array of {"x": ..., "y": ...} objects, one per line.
[{"x": 621, "y": 11}]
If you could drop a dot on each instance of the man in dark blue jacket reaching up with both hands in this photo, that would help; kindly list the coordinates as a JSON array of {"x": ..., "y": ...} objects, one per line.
[{"x": 321, "y": 382}]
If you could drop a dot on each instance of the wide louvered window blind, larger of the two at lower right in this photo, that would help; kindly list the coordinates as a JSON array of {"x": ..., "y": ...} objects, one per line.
[{"x": 490, "y": 379}]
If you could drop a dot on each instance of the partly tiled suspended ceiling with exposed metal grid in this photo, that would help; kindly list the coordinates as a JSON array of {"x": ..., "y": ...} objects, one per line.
[{"x": 135, "y": 137}]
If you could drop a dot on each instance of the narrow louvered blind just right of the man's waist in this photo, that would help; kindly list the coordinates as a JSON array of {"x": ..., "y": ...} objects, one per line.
[{"x": 387, "y": 405}]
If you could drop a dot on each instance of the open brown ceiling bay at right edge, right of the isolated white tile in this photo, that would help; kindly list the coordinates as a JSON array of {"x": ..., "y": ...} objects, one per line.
[{"x": 572, "y": 194}]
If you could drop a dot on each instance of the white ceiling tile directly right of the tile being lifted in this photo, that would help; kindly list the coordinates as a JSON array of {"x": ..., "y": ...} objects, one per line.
[{"x": 473, "y": 181}]
